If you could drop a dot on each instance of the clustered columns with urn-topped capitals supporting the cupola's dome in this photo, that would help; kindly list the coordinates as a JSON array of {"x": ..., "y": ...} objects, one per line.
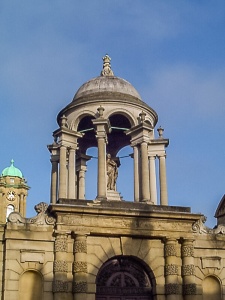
[{"x": 68, "y": 169}]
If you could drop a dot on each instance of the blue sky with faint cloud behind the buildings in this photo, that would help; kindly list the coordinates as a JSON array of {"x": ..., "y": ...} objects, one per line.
[{"x": 173, "y": 52}]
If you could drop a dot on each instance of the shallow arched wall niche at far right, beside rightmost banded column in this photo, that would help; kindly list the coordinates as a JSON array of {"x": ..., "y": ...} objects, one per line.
[{"x": 211, "y": 288}]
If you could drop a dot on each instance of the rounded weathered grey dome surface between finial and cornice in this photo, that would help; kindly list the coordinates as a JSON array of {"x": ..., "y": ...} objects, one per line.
[{"x": 111, "y": 84}]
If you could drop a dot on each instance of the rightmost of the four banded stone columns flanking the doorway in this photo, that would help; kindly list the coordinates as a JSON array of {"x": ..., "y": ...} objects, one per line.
[{"x": 188, "y": 269}]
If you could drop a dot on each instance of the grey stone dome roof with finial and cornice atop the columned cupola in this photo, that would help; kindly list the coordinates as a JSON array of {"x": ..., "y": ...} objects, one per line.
[{"x": 106, "y": 88}]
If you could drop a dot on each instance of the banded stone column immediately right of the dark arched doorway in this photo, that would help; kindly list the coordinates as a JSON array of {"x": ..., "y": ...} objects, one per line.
[{"x": 172, "y": 288}]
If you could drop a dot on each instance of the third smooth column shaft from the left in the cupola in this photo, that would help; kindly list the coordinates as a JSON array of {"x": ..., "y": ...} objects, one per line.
[{"x": 71, "y": 173}]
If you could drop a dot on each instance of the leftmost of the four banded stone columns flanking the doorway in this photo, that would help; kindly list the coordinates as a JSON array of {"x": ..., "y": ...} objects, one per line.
[{"x": 60, "y": 267}]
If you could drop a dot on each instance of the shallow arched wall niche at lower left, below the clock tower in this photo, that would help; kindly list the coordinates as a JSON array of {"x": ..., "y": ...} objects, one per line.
[{"x": 31, "y": 286}]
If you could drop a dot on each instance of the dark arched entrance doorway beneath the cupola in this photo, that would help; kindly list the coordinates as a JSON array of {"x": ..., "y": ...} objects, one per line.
[{"x": 123, "y": 278}]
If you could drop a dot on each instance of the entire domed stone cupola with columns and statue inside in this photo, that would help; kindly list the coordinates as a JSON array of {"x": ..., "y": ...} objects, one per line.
[{"x": 108, "y": 113}]
